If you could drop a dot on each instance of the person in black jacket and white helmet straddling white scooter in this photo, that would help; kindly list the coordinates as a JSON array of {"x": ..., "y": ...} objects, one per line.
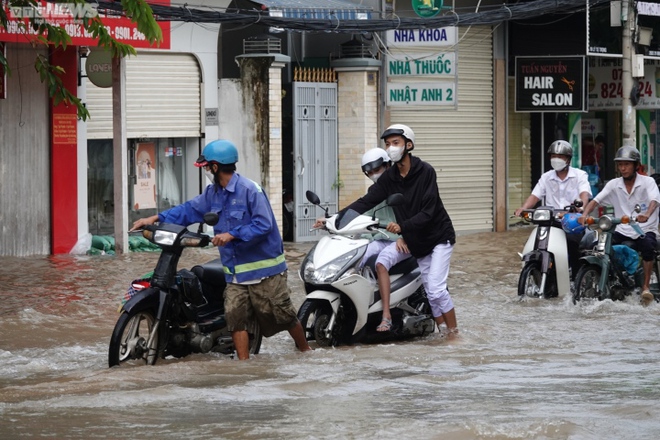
[{"x": 422, "y": 220}]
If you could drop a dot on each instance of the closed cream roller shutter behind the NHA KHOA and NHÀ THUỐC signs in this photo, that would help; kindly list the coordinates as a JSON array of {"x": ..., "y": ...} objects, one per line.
[{"x": 458, "y": 142}]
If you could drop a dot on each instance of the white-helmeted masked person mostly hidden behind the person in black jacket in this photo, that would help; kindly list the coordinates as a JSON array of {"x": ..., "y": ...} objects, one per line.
[{"x": 374, "y": 163}]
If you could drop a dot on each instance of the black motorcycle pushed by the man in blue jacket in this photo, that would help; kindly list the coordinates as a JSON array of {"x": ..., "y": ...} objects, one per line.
[{"x": 179, "y": 311}]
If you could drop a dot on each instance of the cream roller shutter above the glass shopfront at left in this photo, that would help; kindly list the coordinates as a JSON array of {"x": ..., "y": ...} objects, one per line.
[{"x": 163, "y": 98}]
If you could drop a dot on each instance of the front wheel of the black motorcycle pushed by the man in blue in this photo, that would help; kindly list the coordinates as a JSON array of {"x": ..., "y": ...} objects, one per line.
[{"x": 130, "y": 338}]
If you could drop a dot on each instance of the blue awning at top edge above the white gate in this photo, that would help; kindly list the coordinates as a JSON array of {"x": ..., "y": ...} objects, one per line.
[{"x": 316, "y": 9}]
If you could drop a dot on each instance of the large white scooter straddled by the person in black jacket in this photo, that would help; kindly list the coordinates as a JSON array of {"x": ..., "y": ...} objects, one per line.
[{"x": 343, "y": 304}]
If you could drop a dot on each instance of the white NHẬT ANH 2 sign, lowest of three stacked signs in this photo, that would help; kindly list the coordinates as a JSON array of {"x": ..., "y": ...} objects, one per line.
[{"x": 437, "y": 93}]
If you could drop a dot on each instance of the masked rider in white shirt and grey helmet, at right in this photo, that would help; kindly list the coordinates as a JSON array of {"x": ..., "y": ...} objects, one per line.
[{"x": 561, "y": 187}]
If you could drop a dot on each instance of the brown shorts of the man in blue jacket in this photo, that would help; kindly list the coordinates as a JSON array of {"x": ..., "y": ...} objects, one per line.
[{"x": 267, "y": 304}]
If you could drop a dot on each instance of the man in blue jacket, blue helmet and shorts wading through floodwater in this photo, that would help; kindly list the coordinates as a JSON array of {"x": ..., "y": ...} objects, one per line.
[{"x": 250, "y": 246}]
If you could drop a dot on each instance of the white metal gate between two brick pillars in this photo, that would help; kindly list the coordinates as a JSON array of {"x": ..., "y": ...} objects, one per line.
[{"x": 315, "y": 153}]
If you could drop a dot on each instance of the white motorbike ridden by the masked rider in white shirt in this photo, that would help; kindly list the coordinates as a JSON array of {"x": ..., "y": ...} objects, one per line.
[{"x": 545, "y": 271}]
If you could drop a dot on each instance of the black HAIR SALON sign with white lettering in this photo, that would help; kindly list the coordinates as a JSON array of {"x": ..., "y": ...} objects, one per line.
[{"x": 550, "y": 84}]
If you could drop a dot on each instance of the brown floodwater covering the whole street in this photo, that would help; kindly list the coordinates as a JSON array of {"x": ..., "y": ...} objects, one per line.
[{"x": 543, "y": 369}]
